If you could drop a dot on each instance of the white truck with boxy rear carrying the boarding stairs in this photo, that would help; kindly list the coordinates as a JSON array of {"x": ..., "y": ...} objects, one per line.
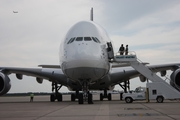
[{"x": 154, "y": 91}]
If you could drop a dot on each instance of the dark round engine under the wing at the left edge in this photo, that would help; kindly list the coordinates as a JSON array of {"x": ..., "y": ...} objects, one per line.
[{"x": 5, "y": 83}]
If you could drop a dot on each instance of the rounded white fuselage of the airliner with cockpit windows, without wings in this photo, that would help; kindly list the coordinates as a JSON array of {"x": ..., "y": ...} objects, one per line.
[{"x": 83, "y": 52}]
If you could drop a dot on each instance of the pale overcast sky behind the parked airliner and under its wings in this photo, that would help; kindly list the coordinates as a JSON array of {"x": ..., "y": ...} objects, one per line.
[{"x": 32, "y": 36}]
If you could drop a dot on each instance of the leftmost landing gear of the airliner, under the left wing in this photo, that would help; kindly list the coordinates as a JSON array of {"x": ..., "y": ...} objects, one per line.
[{"x": 56, "y": 95}]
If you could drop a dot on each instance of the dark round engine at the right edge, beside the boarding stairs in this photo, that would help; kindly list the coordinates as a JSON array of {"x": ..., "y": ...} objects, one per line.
[{"x": 175, "y": 79}]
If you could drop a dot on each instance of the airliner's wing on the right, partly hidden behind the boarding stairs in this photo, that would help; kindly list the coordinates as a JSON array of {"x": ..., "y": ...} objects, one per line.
[{"x": 120, "y": 74}]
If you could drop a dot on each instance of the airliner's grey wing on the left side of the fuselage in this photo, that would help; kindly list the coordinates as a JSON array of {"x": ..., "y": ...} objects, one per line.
[{"x": 51, "y": 74}]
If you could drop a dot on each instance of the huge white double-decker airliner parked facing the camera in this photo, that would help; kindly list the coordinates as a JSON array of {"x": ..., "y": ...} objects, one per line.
[{"x": 85, "y": 64}]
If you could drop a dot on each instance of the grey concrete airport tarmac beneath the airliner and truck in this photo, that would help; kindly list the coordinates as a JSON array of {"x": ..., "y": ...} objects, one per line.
[{"x": 19, "y": 108}]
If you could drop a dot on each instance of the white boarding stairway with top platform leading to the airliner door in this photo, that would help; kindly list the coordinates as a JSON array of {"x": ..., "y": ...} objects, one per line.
[{"x": 132, "y": 59}]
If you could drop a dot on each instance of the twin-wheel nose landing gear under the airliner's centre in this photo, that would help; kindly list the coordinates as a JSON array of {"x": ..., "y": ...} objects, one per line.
[{"x": 86, "y": 95}]
